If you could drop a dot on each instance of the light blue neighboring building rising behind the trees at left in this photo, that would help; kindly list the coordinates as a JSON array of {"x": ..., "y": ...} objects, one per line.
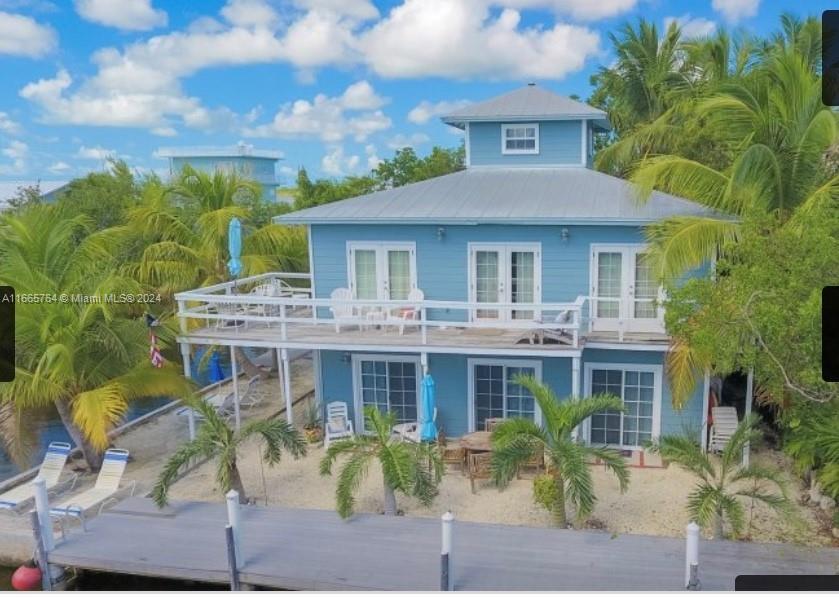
[{"x": 259, "y": 165}]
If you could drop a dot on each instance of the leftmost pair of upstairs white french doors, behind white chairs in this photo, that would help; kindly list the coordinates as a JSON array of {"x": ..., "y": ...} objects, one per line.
[{"x": 381, "y": 271}]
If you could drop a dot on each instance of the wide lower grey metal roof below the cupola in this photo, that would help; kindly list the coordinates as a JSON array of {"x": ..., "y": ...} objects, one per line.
[{"x": 570, "y": 195}]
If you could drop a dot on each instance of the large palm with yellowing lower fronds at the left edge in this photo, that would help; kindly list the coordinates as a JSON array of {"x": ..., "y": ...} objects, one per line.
[{"x": 87, "y": 358}]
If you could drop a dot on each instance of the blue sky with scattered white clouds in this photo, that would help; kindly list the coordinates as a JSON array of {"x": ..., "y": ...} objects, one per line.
[{"x": 332, "y": 85}]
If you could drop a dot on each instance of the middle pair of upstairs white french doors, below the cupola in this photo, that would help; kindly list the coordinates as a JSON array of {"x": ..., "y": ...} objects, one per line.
[{"x": 508, "y": 273}]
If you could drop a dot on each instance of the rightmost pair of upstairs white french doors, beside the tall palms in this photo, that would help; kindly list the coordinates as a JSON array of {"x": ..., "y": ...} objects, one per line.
[{"x": 624, "y": 291}]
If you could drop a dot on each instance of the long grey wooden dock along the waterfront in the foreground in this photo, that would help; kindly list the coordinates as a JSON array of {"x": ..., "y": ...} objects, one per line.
[{"x": 315, "y": 550}]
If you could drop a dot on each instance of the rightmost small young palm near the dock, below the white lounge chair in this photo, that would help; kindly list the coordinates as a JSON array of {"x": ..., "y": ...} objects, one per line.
[{"x": 721, "y": 483}]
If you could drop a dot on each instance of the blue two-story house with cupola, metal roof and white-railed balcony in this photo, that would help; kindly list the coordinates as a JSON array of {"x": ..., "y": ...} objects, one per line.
[{"x": 528, "y": 261}]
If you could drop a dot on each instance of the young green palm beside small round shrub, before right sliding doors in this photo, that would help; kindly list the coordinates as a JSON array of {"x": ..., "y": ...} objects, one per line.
[{"x": 516, "y": 441}]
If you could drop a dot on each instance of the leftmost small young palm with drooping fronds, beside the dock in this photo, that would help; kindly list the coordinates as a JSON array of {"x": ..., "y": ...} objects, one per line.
[{"x": 216, "y": 439}]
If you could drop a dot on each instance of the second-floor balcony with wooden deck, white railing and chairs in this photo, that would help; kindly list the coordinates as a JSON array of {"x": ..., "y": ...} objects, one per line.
[{"x": 278, "y": 309}]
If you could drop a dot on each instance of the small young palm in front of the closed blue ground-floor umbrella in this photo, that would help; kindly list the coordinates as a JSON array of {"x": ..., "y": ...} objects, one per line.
[{"x": 414, "y": 469}]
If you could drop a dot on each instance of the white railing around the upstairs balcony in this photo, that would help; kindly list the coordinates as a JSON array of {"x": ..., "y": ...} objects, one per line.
[{"x": 283, "y": 301}]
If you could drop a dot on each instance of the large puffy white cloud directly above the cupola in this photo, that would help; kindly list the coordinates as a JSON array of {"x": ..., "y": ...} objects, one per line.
[{"x": 461, "y": 39}]
